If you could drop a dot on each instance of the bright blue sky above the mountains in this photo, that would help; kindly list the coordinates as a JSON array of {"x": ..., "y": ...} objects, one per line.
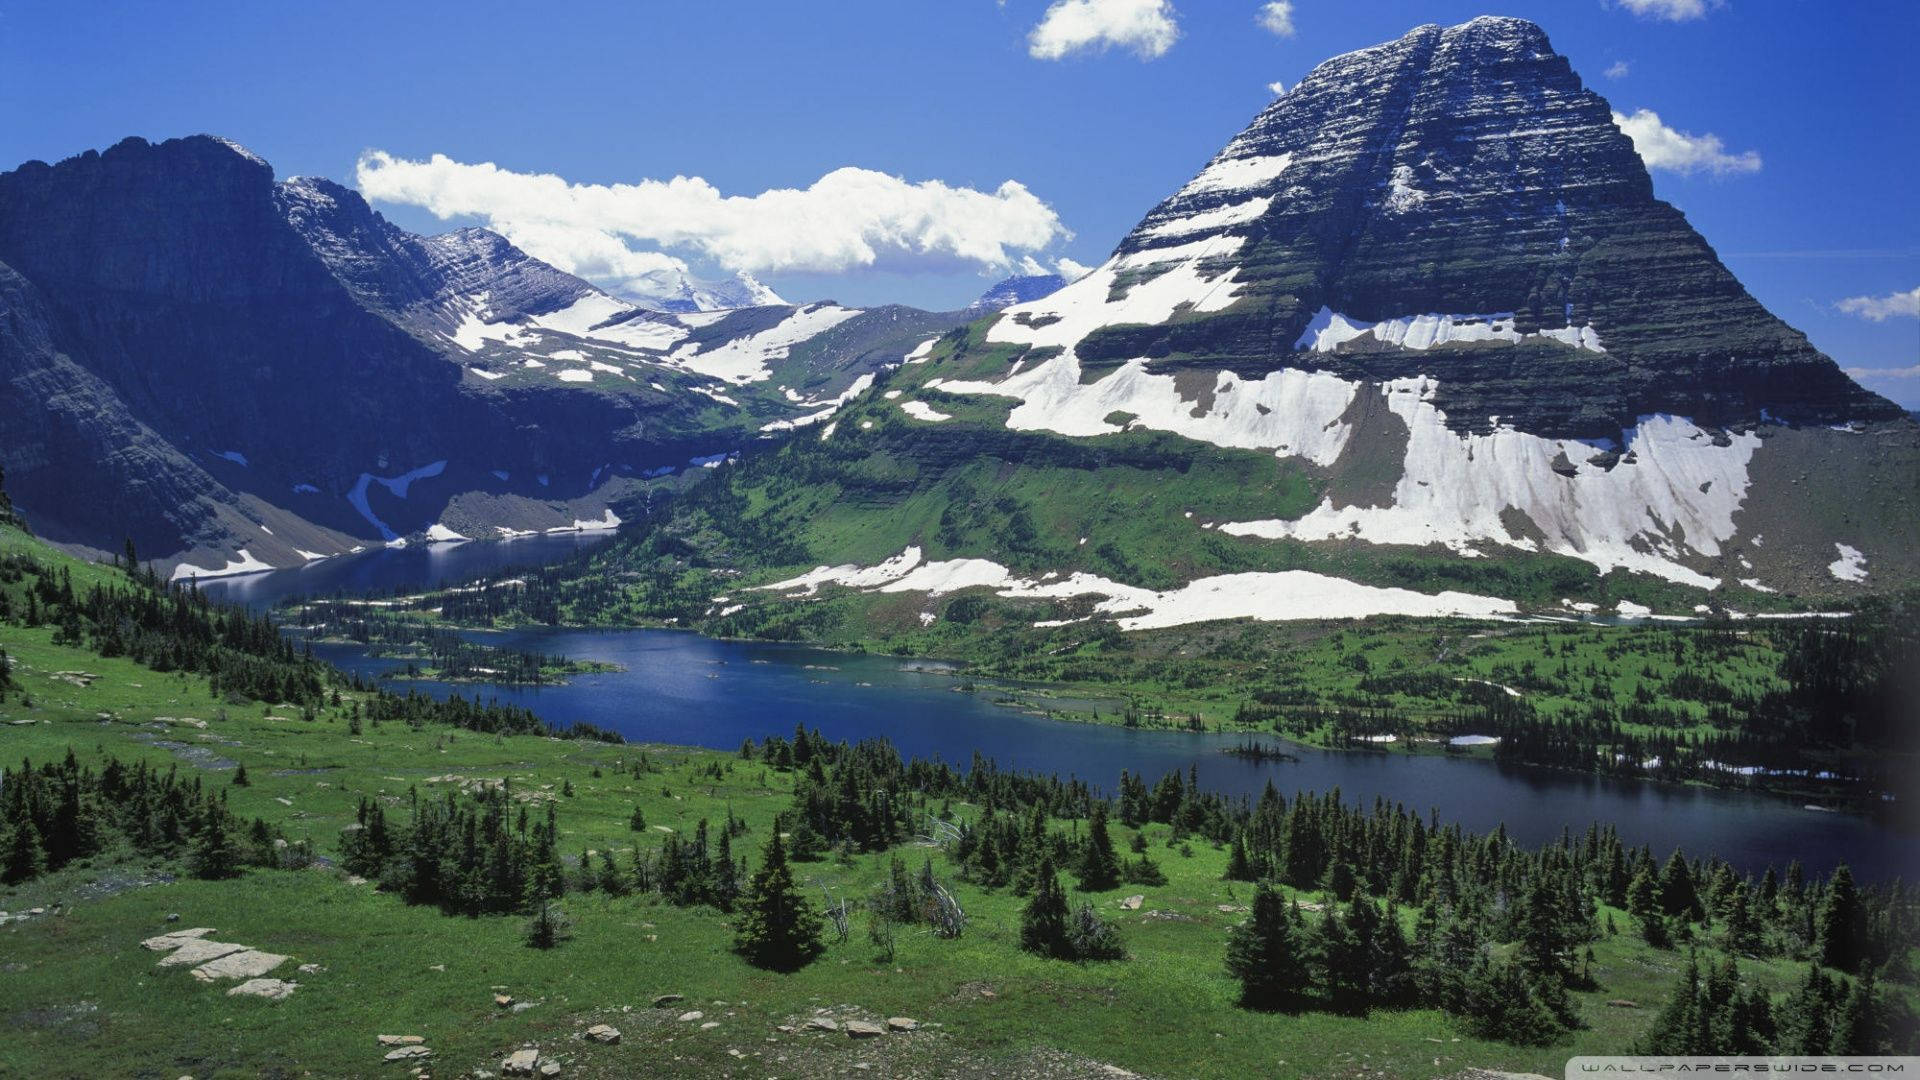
[{"x": 779, "y": 95}]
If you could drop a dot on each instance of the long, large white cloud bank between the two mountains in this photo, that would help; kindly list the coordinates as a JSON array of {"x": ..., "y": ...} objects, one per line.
[{"x": 846, "y": 220}]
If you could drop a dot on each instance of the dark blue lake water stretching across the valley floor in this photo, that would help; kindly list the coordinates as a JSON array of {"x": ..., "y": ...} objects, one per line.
[{"x": 684, "y": 689}]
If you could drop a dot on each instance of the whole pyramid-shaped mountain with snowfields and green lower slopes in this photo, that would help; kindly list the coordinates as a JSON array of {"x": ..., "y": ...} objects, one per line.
[{"x": 1422, "y": 326}]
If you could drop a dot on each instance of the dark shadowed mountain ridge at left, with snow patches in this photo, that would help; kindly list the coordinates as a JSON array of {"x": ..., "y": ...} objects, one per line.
[{"x": 212, "y": 362}]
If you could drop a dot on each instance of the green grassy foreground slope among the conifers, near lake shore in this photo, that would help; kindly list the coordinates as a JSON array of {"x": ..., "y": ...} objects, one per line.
[{"x": 82, "y": 998}]
